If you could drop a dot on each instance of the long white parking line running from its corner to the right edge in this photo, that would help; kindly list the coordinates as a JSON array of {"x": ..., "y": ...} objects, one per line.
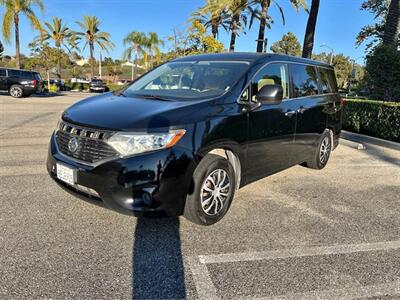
[{"x": 298, "y": 252}]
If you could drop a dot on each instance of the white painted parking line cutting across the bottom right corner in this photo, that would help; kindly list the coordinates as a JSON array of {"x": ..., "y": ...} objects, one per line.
[{"x": 384, "y": 289}]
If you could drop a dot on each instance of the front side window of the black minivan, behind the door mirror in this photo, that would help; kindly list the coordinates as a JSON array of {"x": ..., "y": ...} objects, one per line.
[{"x": 275, "y": 73}]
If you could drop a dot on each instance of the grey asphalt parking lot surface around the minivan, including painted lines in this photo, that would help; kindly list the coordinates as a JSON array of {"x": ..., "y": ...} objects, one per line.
[{"x": 300, "y": 234}]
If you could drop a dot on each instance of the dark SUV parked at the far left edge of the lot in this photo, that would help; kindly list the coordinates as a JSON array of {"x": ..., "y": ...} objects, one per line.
[{"x": 20, "y": 83}]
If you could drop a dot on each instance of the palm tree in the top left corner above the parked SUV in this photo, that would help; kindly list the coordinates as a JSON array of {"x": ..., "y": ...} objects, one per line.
[{"x": 13, "y": 10}]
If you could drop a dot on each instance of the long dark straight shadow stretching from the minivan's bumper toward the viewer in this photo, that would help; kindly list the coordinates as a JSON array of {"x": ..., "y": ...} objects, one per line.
[{"x": 157, "y": 260}]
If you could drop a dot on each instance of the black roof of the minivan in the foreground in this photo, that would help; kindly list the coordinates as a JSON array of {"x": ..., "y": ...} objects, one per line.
[{"x": 251, "y": 57}]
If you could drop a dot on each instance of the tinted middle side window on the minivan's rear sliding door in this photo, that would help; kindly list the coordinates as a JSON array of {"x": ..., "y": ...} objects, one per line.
[{"x": 304, "y": 80}]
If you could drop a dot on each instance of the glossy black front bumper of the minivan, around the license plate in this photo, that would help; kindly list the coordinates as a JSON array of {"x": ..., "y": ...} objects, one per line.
[{"x": 153, "y": 182}]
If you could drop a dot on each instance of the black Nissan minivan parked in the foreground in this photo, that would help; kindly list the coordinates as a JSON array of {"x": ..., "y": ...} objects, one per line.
[{"x": 183, "y": 137}]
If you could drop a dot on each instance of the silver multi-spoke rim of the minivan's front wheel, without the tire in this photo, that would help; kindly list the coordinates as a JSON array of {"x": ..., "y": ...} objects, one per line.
[{"x": 215, "y": 192}]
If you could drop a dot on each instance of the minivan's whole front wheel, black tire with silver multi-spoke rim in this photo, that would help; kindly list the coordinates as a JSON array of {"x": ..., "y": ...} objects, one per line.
[{"x": 202, "y": 206}]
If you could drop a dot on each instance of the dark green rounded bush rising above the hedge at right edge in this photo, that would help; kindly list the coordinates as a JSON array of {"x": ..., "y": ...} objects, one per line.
[{"x": 383, "y": 73}]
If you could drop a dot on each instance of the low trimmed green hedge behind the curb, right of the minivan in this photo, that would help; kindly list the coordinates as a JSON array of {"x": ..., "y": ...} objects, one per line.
[{"x": 371, "y": 117}]
